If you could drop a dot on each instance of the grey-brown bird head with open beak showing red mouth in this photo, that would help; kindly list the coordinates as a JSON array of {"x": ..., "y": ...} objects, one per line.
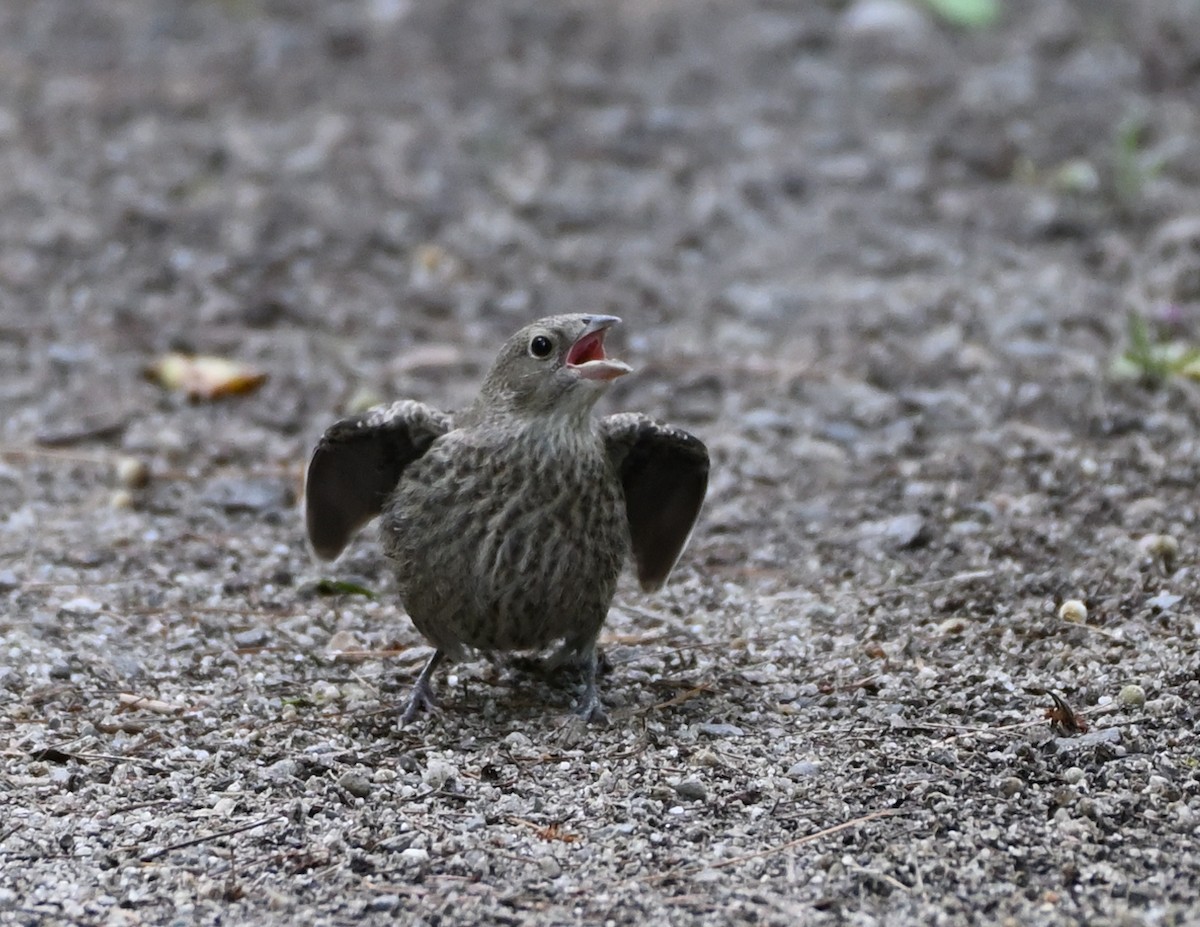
[{"x": 556, "y": 364}]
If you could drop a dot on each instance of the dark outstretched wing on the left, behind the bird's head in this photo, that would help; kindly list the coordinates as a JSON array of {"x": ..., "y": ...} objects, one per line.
[{"x": 358, "y": 464}]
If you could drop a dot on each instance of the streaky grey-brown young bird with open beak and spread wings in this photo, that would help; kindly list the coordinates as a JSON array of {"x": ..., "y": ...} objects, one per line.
[{"x": 509, "y": 523}]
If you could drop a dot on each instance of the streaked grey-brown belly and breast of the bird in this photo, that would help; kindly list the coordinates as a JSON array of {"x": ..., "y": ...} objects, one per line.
[{"x": 508, "y": 551}]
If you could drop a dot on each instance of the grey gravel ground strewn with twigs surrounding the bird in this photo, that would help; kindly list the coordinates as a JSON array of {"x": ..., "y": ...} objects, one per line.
[{"x": 883, "y": 266}]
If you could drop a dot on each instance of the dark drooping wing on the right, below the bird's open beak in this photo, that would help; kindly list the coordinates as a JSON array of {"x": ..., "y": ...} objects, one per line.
[{"x": 664, "y": 471}]
